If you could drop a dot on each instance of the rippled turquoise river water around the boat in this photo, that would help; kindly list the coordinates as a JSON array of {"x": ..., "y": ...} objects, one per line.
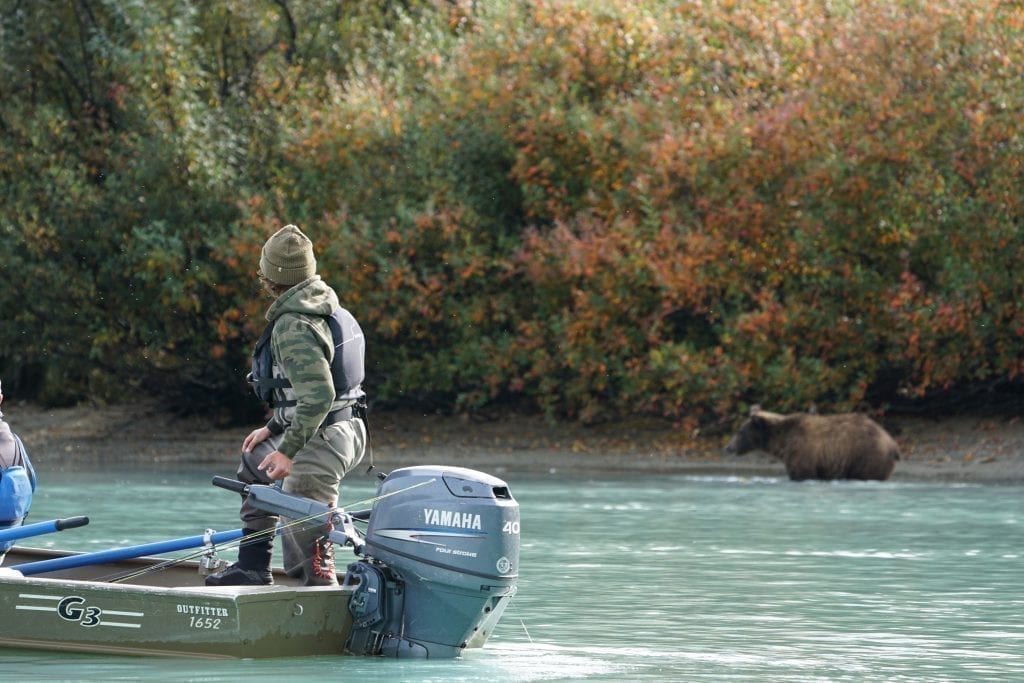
[{"x": 651, "y": 579}]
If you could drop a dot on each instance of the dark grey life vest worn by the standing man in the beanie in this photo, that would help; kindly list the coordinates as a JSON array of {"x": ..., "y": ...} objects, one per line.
[{"x": 348, "y": 366}]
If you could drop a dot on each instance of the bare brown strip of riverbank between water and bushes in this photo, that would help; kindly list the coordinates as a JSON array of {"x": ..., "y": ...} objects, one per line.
[{"x": 968, "y": 449}]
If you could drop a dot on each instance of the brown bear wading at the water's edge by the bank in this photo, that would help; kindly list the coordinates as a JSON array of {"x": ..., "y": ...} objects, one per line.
[{"x": 849, "y": 446}]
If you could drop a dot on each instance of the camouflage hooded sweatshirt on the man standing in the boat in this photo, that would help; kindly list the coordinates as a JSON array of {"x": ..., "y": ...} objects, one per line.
[{"x": 303, "y": 351}]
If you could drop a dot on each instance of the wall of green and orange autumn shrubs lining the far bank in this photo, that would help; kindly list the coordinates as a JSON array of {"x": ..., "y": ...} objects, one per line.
[{"x": 591, "y": 209}]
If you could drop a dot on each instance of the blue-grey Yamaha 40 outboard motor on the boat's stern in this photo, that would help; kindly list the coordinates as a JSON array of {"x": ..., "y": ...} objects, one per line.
[{"x": 443, "y": 561}]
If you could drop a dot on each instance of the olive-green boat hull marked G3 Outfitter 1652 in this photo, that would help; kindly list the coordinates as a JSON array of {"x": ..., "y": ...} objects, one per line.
[{"x": 167, "y": 613}]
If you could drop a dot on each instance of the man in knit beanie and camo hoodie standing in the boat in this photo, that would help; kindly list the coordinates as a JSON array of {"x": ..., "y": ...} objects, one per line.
[{"x": 309, "y": 365}]
